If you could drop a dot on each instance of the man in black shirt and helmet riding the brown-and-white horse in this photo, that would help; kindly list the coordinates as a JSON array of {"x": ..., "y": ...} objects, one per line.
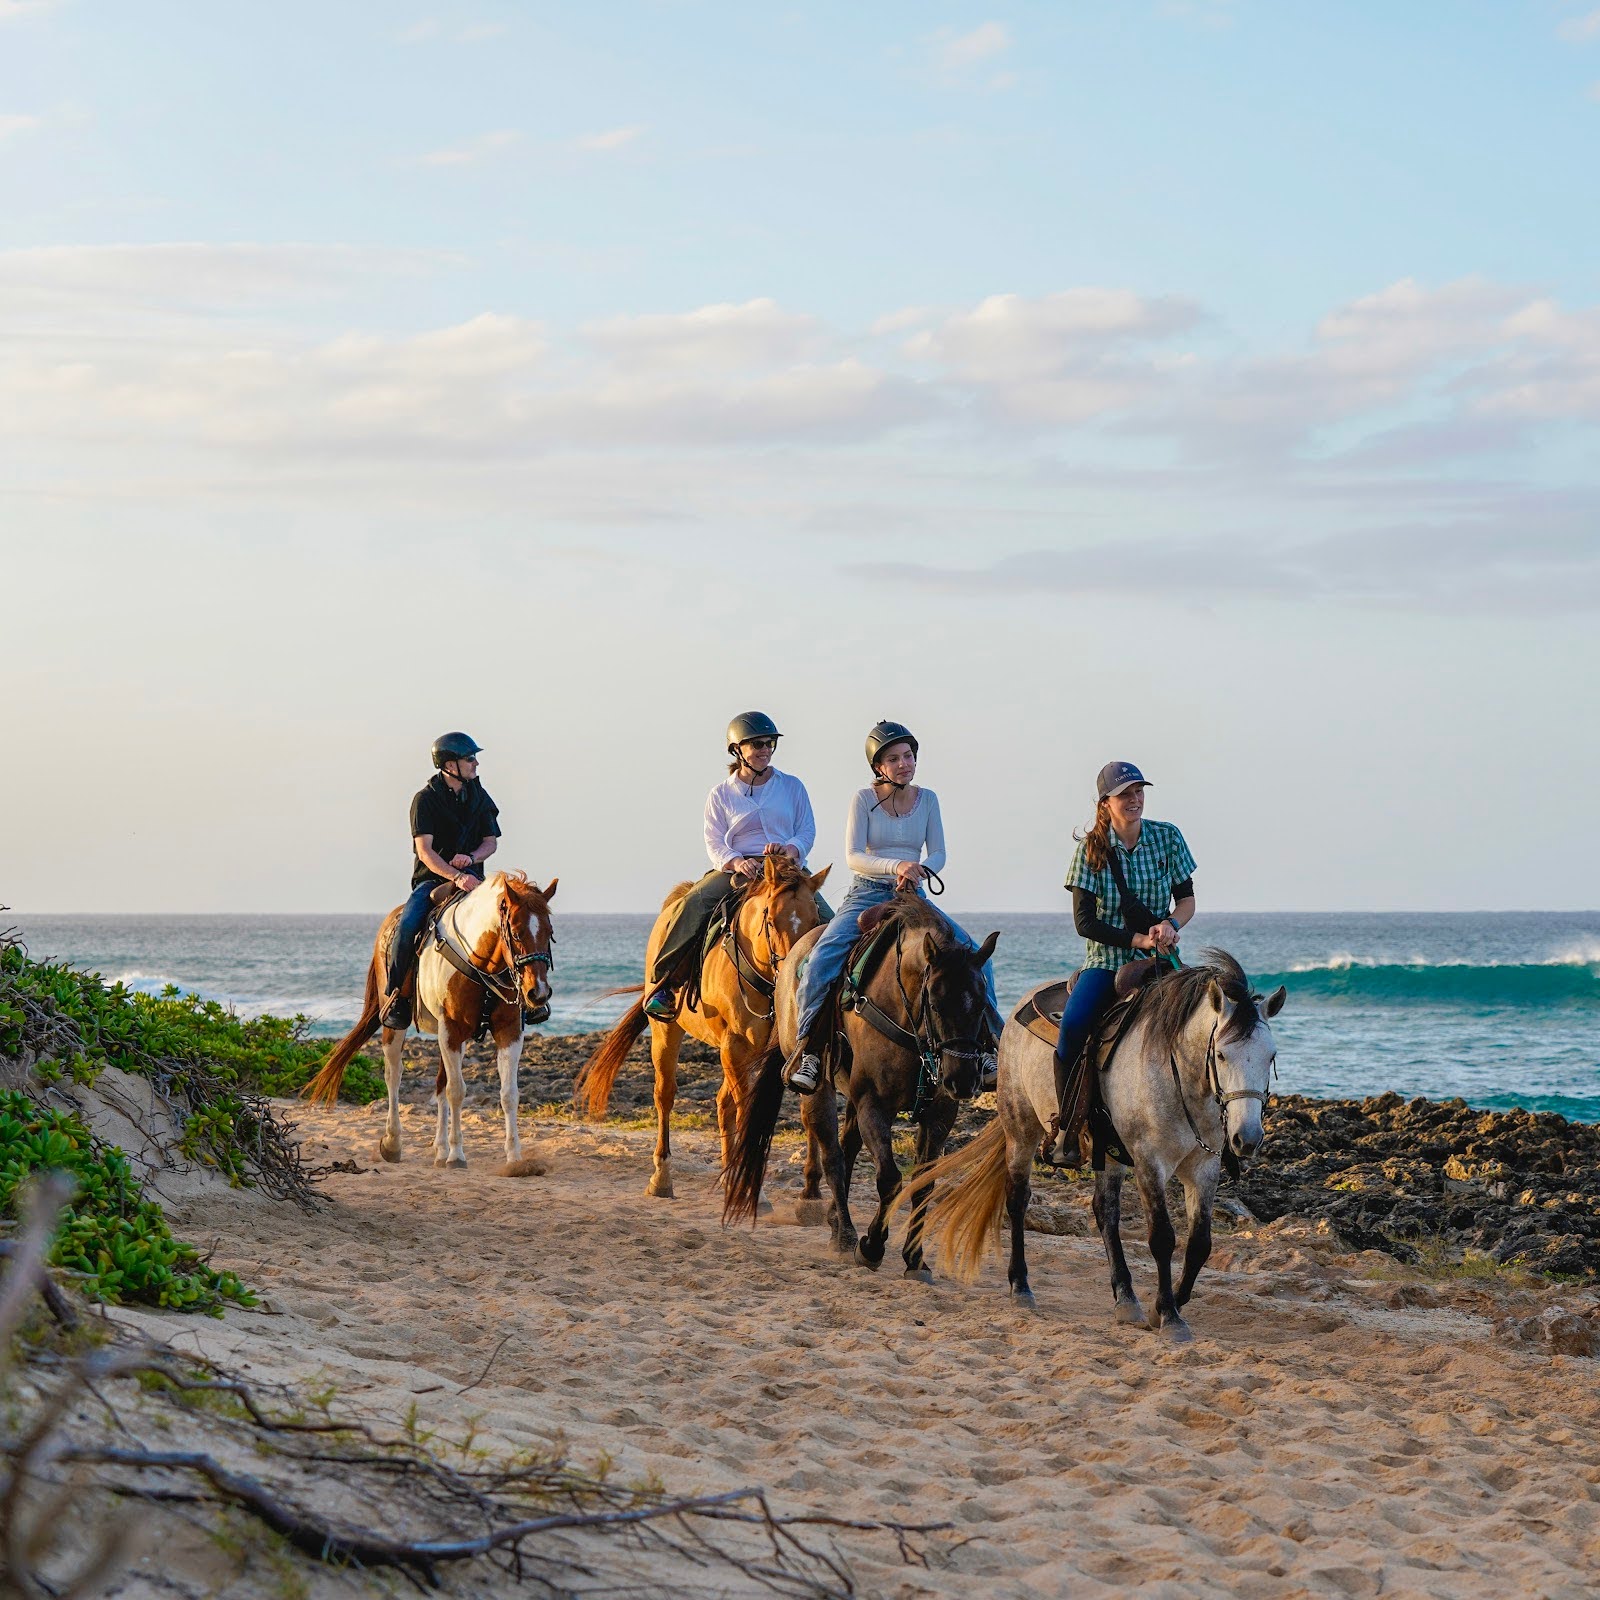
[{"x": 455, "y": 830}]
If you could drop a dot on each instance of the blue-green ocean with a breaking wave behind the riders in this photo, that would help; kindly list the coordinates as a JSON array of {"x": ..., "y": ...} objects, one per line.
[{"x": 1498, "y": 1009}]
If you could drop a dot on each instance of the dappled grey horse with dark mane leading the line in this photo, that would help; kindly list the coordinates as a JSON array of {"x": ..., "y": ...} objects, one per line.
[{"x": 1185, "y": 1086}]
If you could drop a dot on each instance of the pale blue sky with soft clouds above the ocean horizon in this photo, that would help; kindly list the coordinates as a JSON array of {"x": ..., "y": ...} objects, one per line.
[{"x": 1206, "y": 385}]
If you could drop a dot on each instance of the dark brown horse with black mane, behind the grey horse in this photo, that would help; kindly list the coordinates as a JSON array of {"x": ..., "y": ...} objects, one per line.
[{"x": 914, "y": 1046}]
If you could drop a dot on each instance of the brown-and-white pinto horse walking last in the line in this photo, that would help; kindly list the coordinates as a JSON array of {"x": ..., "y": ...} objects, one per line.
[{"x": 503, "y": 932}]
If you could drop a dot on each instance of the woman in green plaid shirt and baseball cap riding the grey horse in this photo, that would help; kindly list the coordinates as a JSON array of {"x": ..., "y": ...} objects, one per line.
[{"x": 1156, "y": 868}]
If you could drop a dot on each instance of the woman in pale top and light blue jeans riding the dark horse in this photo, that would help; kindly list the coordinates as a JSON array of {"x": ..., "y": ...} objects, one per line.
[{"x": 895, "y": 839}]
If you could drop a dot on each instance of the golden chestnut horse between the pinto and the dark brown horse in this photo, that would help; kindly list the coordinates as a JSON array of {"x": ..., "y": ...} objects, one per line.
[{"x": 734, "y": 1014}]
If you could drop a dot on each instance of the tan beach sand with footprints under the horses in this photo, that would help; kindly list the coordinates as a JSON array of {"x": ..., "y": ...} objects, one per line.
[{"x": 1327, "y": 1434}]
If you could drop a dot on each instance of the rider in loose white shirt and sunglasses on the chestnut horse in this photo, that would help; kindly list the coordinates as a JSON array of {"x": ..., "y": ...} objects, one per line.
[{"x": 754, "y": 812}]
